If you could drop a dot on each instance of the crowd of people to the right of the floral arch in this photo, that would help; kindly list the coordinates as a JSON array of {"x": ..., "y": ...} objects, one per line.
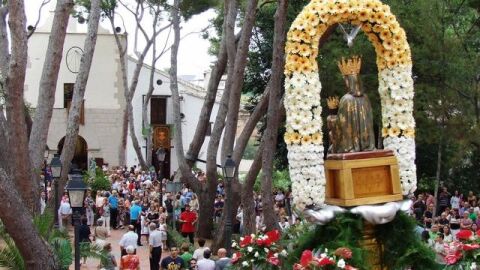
[{"x": 441, "y": 219}]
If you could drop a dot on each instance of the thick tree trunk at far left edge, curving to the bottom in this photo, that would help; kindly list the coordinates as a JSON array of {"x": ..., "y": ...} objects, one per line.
[{"x": 18, "y": 192}]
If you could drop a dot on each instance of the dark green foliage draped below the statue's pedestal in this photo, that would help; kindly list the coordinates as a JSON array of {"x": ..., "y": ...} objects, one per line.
[{"x": 402, "y": 248}]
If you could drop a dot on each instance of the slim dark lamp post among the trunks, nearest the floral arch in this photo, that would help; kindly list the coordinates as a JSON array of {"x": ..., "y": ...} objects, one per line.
[{"x": 229, "y": 168}]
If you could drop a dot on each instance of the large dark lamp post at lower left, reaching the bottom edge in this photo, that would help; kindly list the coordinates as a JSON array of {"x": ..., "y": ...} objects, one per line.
[{"x": 76, "y": 193}]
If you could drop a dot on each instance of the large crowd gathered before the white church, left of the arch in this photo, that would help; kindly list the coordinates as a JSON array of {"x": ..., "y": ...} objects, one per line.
[{"x": 140, "y": 203}]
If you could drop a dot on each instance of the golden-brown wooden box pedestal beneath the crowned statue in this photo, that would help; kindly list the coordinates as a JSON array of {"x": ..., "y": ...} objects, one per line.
[{"x": 362, "y": 178}]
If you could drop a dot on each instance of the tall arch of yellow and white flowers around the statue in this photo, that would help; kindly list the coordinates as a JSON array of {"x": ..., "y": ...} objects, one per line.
[{"x": 304, "y": 136}]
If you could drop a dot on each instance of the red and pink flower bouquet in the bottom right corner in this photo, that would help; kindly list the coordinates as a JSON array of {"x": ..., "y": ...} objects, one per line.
[{"x": 465, "y": 252}]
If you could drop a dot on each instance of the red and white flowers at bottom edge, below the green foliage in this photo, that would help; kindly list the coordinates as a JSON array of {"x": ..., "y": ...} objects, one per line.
[{"x": 337, "y": 260}]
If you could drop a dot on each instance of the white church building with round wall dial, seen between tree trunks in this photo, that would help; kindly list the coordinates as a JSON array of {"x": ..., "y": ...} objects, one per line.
[{"x": 104, "y": 103}]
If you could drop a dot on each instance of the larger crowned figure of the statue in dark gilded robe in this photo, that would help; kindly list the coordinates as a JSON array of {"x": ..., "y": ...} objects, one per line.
[{"x": 354, "y": 123}]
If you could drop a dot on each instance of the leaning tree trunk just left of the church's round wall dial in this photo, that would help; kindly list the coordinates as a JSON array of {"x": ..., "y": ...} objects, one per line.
[{"x": 48, "y": 83}]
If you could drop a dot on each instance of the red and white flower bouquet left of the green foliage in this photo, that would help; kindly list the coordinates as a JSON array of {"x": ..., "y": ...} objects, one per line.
[{"x": 258, "y": 251}]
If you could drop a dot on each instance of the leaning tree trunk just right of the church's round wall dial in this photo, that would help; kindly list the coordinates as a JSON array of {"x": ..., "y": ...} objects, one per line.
[{"x": 79, "y": 91}]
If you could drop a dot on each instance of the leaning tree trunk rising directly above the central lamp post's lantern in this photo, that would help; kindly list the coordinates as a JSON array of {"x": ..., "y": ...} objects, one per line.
[{"x": 236, "y": 79}]
